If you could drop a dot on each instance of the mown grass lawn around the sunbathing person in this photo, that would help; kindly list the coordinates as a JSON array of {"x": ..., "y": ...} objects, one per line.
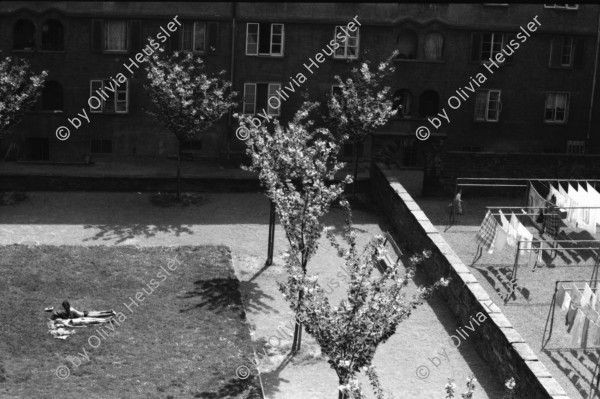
[{"x": 183, "y": 338}]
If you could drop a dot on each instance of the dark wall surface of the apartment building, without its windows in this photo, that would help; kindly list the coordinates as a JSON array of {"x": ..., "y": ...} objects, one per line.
[{"x": 308, "y": 28}]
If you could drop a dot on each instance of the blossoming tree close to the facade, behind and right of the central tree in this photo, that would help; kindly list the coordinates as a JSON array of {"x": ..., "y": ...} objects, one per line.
[{"x": 361, "y": 105}]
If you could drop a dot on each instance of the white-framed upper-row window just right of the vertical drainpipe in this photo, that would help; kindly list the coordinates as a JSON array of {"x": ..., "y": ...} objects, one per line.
[{"x": 264, "y": 39}]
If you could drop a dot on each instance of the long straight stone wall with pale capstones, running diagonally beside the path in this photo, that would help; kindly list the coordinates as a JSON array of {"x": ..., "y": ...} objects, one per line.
[{"x": 496, "y": 340}]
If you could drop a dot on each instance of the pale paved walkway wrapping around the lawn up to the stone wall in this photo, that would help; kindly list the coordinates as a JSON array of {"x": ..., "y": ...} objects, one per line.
[{"x": 240, "y": 221}]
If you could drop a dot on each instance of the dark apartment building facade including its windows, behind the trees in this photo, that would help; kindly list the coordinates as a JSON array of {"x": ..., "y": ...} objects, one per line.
[{"x": 539, "y": 100}]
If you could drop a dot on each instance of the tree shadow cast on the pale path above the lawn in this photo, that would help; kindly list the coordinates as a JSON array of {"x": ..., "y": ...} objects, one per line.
[{"x": 108, "y": 232}]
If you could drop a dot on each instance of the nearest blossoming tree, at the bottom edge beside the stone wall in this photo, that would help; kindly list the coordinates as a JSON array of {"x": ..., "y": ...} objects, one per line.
[{"x": 350, "y": 333}]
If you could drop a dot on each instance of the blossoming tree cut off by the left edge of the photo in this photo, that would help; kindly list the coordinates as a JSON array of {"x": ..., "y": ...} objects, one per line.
[{"x": 19, "y": 90}]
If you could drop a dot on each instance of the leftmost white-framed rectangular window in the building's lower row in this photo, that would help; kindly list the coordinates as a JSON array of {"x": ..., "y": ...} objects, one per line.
[{"x": 111, "y": 99}]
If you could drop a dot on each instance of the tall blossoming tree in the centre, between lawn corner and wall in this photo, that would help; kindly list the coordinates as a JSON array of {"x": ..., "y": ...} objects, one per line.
[{"x": 297, "y": 165}]
